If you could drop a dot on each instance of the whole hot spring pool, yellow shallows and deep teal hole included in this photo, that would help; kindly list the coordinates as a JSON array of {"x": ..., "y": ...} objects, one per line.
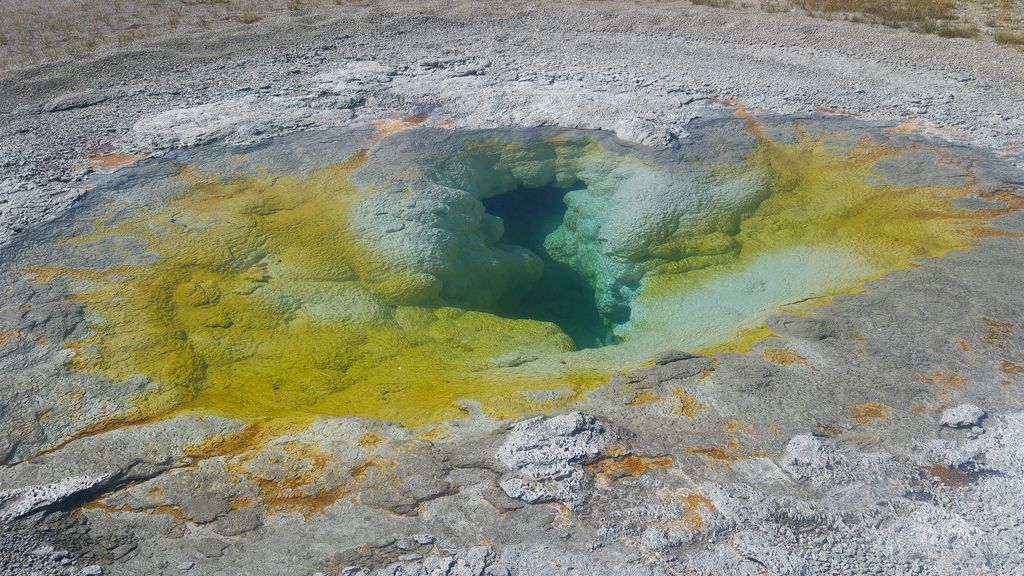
[{"x": 434, "y": 273}]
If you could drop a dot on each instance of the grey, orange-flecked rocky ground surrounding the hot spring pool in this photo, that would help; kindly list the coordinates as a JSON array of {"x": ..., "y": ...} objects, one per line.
[{"x": 883, "y": 435}]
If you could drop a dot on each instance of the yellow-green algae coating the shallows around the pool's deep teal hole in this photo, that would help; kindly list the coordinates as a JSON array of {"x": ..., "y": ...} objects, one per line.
[{"x": 263, "y": 303}]
